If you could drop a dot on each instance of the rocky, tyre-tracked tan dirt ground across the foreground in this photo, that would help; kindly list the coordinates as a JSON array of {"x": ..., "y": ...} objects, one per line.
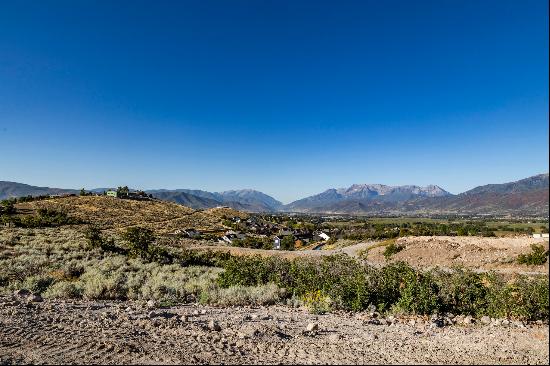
[{"x": 53, "y": 332}]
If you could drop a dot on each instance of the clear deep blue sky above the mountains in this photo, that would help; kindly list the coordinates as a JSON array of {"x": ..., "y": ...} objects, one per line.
[{"x": 287, "y": 97}]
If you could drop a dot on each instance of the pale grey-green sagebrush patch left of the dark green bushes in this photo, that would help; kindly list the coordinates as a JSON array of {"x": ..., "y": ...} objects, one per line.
[{"x": 58, "y": 263}]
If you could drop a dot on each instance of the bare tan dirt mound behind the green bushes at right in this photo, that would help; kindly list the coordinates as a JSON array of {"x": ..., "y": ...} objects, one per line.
[{"x": 471, "y": 252}]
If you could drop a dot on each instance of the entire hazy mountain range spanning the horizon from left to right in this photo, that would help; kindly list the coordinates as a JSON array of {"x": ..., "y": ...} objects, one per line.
[{"x": 526, "y": 196}]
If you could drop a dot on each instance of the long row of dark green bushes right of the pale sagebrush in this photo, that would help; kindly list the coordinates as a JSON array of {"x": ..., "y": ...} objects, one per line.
[{"x": 396, "y": 287}]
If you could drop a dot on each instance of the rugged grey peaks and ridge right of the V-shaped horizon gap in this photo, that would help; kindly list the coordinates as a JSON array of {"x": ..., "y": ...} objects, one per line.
[{"x": 529, "y": 196}]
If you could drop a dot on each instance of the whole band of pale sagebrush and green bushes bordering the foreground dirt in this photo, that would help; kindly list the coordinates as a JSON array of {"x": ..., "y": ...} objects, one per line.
[{"x": 67, "y": 263}]
